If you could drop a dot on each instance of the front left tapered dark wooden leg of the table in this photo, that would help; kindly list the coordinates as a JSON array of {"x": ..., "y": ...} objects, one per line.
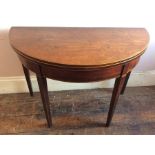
[{"x": 45, "y": 99}]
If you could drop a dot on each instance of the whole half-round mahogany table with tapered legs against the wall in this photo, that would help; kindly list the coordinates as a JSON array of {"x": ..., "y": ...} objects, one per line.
[{"x": 78, "y": 55}]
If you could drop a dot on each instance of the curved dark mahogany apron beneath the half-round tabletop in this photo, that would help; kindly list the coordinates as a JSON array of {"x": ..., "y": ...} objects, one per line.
[{"x": 75, "y": 74}]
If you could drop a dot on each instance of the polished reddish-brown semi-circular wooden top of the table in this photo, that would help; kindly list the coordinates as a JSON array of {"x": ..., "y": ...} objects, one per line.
[{"x": 86, "y": 47}]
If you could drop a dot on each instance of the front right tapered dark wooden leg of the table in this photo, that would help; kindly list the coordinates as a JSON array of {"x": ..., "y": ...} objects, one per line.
[{"x": 115, "y": 95}]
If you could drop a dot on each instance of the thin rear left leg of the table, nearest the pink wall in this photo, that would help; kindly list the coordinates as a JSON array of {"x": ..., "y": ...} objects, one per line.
[{"x": 27, "y": 77}]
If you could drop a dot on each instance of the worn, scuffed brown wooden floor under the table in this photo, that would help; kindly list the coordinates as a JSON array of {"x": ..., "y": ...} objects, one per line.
[{"x": 80, "y": 112}]
